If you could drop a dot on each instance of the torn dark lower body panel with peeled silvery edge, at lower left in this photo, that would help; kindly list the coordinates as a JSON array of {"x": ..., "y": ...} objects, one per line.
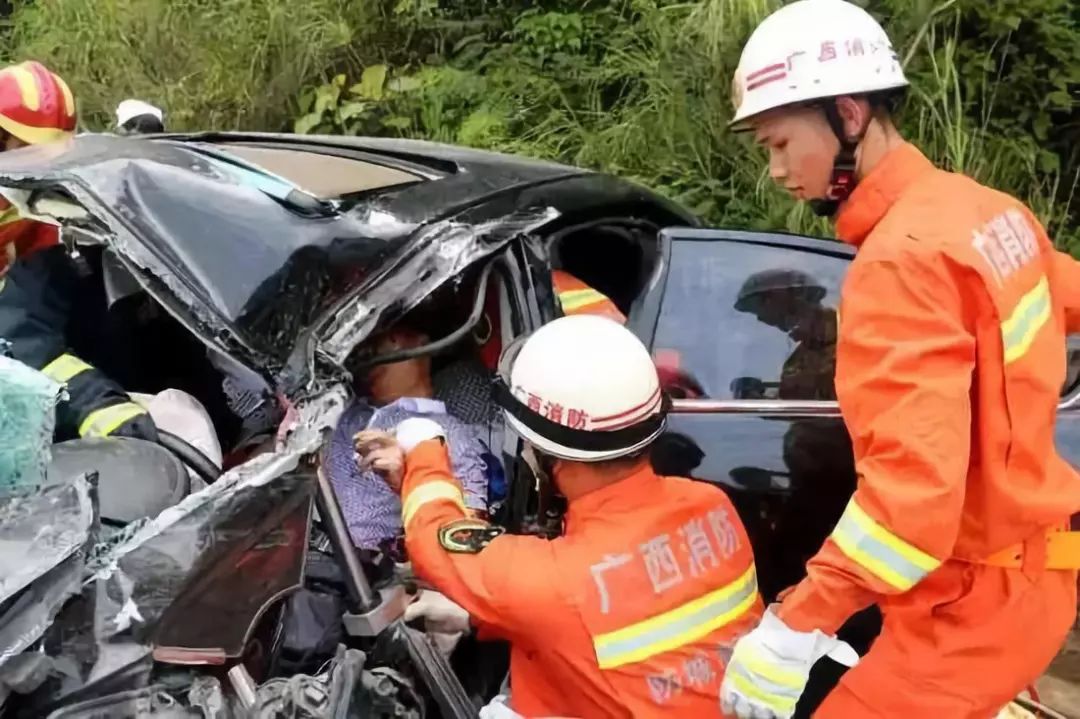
[{"x": 156, "y": 592}]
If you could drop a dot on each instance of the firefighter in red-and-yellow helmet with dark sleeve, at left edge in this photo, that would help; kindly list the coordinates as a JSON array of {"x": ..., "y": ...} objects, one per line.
[{"x": 44, "y": 291}]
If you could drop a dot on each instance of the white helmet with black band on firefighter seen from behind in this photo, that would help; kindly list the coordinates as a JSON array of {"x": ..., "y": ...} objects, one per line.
[{"x": 584, "y": 388}]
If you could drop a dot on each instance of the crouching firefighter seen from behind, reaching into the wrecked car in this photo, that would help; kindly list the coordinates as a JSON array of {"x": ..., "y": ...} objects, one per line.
[{"x": 633, "y": 612}]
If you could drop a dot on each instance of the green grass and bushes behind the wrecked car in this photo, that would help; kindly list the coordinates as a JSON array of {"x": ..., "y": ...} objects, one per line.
[{"x": 639, "y": 88}]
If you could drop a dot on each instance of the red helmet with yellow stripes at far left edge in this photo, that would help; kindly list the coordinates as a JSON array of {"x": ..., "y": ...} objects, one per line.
[{"x": 36, "y": 105}]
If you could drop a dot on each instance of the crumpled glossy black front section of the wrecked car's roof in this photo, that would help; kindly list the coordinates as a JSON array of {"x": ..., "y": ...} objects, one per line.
[{"x": 244, "y": 270}]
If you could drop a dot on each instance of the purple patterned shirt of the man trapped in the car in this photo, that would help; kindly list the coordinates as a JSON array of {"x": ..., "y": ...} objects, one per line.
[{"x": 373, "y": 510}]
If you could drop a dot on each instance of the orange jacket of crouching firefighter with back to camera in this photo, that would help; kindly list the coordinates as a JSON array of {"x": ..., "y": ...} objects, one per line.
[{"x": 631, "y": 614}]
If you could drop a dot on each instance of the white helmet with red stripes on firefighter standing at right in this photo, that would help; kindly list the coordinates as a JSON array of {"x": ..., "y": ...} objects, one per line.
[{"x": 813, "y": 50}]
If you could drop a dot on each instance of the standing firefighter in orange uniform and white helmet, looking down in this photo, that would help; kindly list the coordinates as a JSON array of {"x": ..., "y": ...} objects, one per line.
[{"x": 950, "y": 361}]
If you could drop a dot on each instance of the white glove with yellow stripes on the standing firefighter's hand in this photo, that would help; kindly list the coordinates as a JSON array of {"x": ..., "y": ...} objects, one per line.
[{"x": 771, "y": 667}]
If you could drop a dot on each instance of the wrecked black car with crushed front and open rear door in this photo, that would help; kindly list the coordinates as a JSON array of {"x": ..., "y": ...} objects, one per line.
[{"x": 166, "y": 585}]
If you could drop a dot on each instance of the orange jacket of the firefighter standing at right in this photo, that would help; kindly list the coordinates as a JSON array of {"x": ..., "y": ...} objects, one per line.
[{"x": 950, "y": 364}]
